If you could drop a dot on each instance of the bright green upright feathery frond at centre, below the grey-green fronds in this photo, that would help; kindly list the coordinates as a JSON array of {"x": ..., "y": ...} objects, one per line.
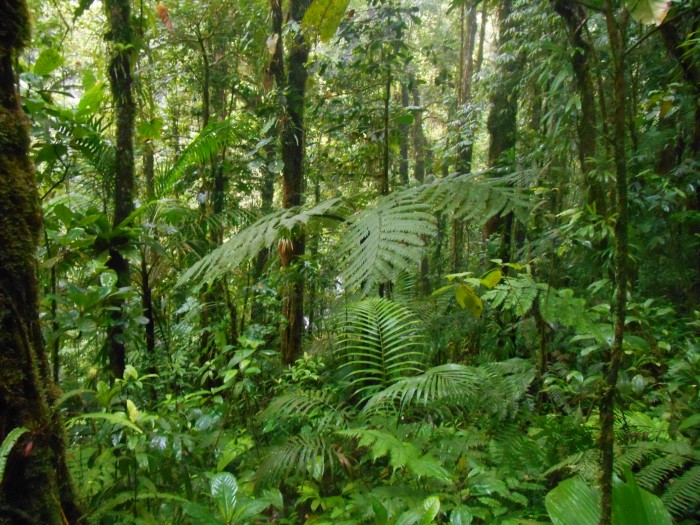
[{"x": 379, "y": 345}]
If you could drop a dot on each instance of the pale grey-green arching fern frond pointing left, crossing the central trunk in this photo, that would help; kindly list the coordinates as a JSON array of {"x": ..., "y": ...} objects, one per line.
[{"x": 262, "y": 234}]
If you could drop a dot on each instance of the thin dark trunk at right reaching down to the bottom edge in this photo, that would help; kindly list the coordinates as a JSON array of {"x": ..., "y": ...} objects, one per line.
[{"x": 613, "y": 357}]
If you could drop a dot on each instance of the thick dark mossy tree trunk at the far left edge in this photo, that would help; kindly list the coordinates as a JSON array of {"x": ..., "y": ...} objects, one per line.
[{"x": 36, "y": 485}]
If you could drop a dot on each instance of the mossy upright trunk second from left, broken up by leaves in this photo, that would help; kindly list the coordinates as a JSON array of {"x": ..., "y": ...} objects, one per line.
[{"x": 118, "y": 16}]
